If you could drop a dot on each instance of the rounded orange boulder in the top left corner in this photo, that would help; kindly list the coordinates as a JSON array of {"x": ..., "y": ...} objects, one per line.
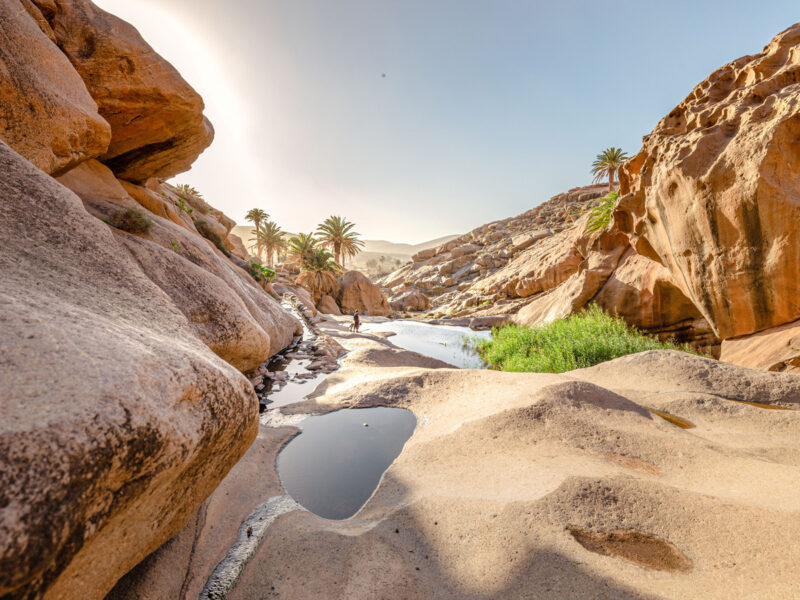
[{"x": 46, "y": 113}]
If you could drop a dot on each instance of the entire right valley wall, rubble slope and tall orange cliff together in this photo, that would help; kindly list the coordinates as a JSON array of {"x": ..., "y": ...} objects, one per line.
[{"x": 703, "y": 243}]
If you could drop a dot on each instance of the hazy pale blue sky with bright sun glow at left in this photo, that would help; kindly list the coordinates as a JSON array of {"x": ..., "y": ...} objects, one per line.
[{"x": 422, "y": 118}]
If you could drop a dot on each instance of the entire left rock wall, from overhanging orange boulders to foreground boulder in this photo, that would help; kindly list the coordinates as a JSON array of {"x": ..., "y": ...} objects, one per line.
[{"x": 127, "y": 317}]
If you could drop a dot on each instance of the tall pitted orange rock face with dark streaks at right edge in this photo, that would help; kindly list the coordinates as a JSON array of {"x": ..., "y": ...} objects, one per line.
[{"x": 714, "y": 193}]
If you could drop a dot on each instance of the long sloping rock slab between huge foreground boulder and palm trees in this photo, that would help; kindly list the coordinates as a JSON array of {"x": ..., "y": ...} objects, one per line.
[{"x": 228, "y": 310}]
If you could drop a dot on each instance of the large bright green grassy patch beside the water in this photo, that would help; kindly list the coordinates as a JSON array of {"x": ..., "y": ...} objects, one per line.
[{"x": 581, "y": 340}]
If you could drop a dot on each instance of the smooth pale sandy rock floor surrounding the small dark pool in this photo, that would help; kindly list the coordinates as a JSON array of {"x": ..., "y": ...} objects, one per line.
[{"x": 541, "y": 486}]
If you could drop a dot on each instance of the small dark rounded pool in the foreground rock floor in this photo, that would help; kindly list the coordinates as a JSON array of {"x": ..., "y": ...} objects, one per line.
[{"x": 333, "y": 467}]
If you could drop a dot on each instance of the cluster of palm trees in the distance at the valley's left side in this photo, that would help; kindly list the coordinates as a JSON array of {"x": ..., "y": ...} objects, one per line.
[{"x": 312, "y": 250}]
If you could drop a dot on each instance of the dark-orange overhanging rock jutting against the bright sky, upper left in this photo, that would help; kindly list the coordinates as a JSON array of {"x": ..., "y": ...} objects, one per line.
[{"x": 157, "y": 123}]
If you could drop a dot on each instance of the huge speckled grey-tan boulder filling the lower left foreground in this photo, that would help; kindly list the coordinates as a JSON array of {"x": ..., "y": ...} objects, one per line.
[{"x": 102, "y": 469}]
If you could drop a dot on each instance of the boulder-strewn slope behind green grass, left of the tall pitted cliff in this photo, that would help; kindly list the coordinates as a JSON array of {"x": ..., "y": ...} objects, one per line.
[{"x": 540, "y": 266}]
